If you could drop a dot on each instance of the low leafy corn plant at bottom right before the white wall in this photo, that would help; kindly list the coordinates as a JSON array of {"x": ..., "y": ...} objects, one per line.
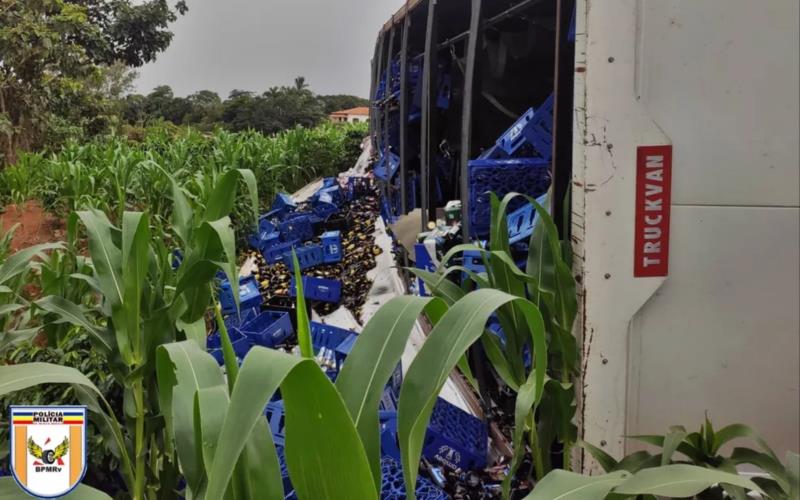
[{"x": 702, "y": 449}]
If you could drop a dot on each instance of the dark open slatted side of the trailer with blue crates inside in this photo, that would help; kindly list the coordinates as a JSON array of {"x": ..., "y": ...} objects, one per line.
[{"x": 469, "y": 97}]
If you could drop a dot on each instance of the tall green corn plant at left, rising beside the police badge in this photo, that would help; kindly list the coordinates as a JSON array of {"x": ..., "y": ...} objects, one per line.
[{"x": 145, "y": 303}]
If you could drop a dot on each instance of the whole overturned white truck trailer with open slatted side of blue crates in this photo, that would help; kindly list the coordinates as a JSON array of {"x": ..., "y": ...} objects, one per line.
[{"x": 674, "y": 126}]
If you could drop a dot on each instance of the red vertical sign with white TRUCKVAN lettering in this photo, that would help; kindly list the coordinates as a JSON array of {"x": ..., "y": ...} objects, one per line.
[{"x": 653, "y": 199}]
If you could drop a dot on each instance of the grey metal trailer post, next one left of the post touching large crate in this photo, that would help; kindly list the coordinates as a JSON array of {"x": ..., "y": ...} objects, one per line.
[{"x": 429, "y": 81}]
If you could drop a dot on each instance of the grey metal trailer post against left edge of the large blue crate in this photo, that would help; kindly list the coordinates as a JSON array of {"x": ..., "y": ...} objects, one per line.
[{"x": 470, "y": 71}]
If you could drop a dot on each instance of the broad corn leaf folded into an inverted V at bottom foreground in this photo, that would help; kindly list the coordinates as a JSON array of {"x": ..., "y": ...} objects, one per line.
[{"x": 323, "y": 452}]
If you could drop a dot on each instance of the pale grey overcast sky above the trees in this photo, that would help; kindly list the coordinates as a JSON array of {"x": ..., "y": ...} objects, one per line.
[{"x": 223, "y": 45}]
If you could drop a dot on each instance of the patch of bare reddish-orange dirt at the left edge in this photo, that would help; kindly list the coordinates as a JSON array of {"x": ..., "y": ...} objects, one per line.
[{"x": 35, "y": 225}]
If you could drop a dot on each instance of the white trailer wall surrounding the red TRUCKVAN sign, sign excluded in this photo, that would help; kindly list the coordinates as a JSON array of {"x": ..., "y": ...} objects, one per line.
[{"x": 718, "y": 80}]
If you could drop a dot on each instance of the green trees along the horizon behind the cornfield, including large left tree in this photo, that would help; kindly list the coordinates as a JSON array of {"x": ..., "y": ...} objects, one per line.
[{"x": 67, "y": 69}]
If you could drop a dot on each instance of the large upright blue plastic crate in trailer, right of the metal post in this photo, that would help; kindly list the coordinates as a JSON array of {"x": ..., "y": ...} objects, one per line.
[{"x": 529, "y": 176}]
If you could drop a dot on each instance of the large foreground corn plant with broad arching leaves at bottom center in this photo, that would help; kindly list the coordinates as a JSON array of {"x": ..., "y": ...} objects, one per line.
[{"x": 332, "y": 432}]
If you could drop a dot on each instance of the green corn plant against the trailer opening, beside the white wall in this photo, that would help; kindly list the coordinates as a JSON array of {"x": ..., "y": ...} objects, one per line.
[{"x": 547, "y": 282}]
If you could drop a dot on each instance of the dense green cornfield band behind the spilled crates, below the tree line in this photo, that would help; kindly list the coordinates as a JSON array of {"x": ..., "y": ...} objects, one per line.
[{"x": 116, "y": 174}]
